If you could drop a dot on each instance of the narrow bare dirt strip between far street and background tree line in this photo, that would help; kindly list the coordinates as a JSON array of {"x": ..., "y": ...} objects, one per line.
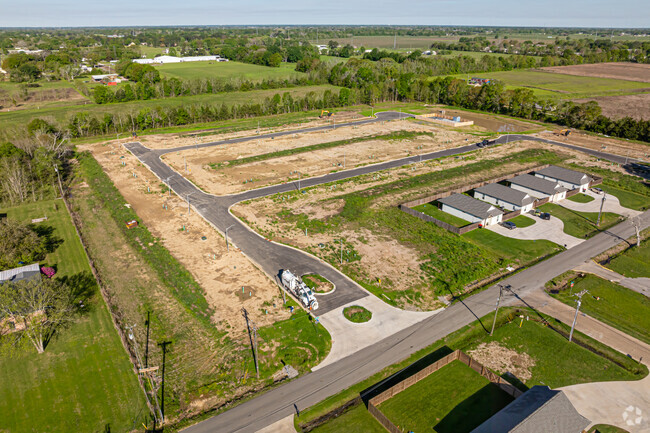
[{"x": 165, "y": 141}]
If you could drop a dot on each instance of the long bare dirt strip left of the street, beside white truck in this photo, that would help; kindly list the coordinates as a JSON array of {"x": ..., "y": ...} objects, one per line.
[{"x": 221, "y": 273}]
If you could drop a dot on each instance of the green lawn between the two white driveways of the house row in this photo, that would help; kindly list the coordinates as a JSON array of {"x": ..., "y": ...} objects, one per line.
[{"x": 581, "y": 224}]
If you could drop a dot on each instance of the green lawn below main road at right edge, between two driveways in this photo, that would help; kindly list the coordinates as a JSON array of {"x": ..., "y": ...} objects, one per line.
[{"x": 618, "y": 306}]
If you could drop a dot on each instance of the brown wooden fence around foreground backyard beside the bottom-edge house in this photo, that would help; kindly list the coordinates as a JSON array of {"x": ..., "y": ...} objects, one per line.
[{"x": 425, "y": 372}]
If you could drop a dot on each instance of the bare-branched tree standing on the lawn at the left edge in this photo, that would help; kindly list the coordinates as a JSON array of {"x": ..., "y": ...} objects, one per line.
[{"x": 36, "y": 308}]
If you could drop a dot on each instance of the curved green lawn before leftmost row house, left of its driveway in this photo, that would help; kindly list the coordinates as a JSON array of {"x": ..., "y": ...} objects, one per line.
[{"x": 523, "y": 251}]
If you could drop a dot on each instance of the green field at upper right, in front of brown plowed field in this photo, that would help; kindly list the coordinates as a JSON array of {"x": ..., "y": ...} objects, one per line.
[{"x": 561, "y": 86}]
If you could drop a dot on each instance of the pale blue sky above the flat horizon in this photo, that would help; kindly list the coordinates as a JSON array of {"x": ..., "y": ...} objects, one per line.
[{"x": 516, "y": 13}]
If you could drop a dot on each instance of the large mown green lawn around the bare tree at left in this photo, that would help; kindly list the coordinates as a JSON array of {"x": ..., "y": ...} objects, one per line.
[{"x": 84, "y": 381}]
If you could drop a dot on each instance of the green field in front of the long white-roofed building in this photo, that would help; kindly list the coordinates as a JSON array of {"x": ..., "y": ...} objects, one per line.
[{"x": 227, "y": 70}]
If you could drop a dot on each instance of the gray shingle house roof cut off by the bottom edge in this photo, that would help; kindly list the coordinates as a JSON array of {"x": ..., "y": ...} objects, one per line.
[{"x": 540, "y": 409}]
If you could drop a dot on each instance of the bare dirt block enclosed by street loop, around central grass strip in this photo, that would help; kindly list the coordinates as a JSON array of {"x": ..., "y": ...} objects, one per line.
[{"x": 228, "y": 180}]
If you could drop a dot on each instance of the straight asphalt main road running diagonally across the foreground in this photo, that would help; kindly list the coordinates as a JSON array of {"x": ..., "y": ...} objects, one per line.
[{"x": 316, "y": 386}]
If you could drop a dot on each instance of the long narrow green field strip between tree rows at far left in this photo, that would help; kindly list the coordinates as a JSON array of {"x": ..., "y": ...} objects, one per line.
[{"x": 61, "y": 114}]
